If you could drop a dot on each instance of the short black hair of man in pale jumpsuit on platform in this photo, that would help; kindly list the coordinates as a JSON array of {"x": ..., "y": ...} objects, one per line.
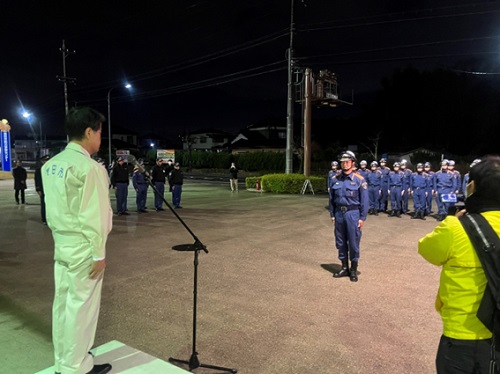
[{"x": 79, "y": 119}]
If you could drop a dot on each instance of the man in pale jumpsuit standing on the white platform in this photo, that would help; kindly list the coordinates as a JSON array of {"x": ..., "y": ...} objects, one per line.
[{"x": 79, "y": 215}]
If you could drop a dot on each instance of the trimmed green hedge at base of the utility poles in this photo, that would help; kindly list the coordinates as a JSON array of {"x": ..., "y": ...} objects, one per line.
[{"x": 286, "y": 183}]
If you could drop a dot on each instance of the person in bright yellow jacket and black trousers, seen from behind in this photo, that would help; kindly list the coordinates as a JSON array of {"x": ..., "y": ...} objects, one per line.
[{"x": 466, "y": 344}]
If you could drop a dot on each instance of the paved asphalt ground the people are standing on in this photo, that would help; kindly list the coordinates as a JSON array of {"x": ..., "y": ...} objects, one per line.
[{"x": 267, "y": 301}]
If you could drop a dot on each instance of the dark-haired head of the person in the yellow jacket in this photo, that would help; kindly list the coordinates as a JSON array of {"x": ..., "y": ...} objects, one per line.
[{"x": 486, "y": 177}]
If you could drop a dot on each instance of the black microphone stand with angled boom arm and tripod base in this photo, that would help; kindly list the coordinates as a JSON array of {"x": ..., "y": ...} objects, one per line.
[{"x": 193, "y": 362}]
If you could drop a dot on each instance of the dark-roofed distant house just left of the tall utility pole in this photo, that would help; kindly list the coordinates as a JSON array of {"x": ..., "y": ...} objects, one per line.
[{"x": 265, "y": 136}]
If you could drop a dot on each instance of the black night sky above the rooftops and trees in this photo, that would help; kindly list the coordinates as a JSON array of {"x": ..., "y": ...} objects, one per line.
[{"x": 222, "y": 63}]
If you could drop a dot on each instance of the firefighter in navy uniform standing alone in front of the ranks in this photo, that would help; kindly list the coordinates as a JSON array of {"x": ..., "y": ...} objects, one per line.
[{"x": 349, "y": 209}]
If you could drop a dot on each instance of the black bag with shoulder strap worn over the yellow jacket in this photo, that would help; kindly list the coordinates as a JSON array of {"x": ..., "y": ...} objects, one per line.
[{"x": 487, "y": 245}]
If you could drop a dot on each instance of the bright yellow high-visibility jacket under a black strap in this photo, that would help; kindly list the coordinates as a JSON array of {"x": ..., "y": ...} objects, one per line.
[{"x": 463, "y": 281}]
